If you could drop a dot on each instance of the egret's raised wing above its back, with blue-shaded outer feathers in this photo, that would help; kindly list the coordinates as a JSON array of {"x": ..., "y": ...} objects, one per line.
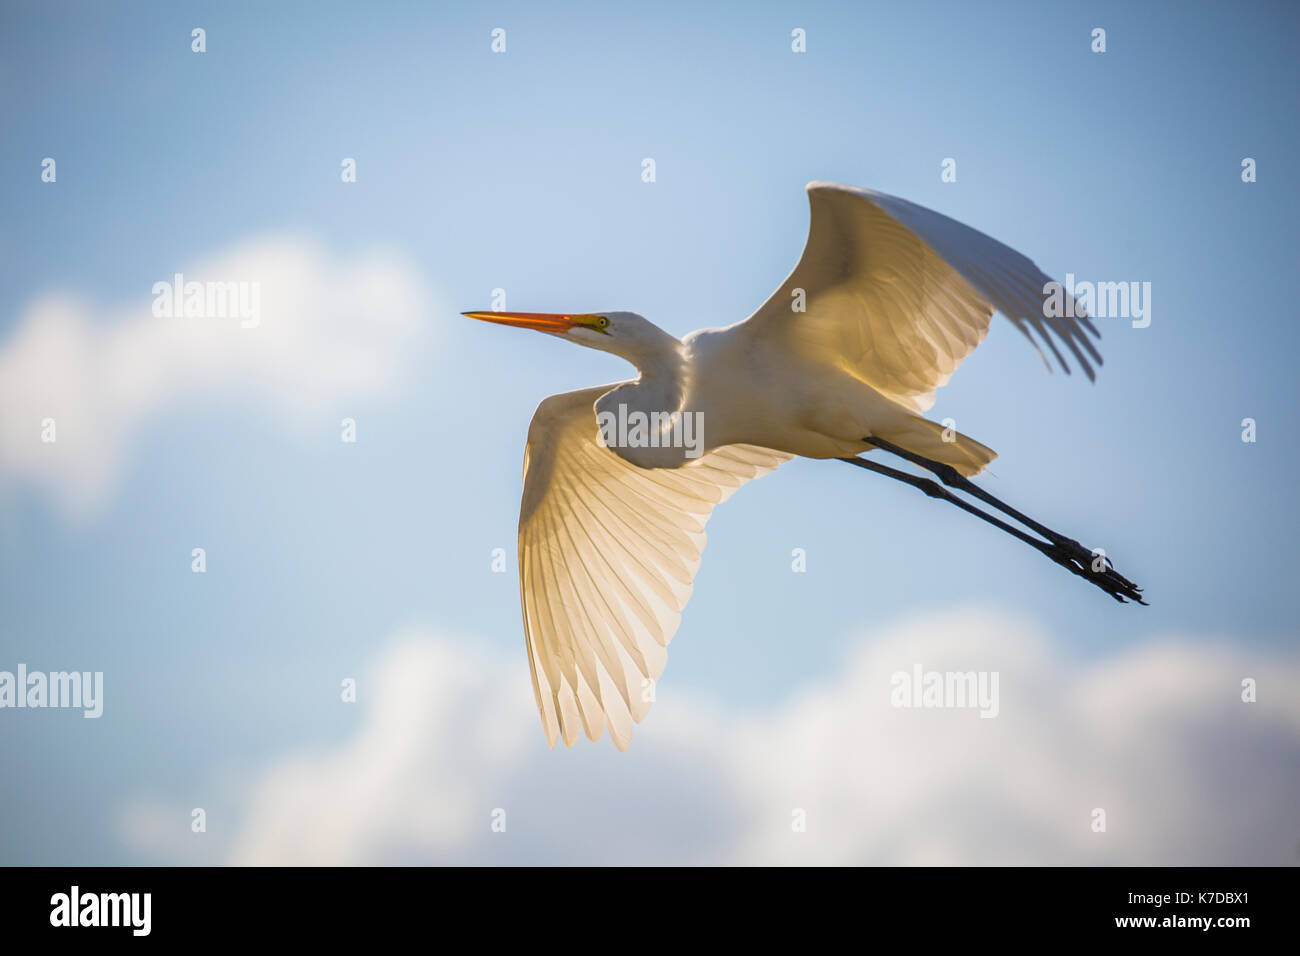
[{"x": 898, "y": 295}]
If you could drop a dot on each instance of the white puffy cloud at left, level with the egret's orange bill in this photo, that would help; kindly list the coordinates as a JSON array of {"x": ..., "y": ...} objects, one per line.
[{"x": 332, "y": 331}]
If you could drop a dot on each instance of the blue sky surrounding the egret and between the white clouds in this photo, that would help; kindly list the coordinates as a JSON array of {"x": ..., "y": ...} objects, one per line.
[{"x": 522, "y": 171}]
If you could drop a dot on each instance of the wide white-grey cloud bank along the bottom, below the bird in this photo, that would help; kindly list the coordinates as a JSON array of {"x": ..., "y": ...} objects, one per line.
[{"x": 1158, "y": 737}]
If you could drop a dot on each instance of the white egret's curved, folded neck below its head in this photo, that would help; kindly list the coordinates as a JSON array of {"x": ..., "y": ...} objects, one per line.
[{"x": 645, "y": 421}]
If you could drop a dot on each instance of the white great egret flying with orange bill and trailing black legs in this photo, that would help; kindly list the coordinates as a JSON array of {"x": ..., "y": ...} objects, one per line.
[{"x": 843, "y": 360}]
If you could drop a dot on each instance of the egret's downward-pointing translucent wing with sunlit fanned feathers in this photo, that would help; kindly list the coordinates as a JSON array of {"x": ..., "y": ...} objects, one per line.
[{"x": 606, "y": 559}]
